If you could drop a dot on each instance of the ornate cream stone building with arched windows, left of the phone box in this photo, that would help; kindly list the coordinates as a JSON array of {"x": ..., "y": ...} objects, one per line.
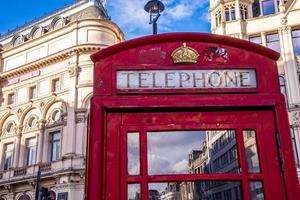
[{"x": 46, "y": 84}]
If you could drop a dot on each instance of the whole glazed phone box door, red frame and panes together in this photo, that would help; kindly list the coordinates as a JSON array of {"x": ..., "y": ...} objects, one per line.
[{"x": 196, "y": 161}]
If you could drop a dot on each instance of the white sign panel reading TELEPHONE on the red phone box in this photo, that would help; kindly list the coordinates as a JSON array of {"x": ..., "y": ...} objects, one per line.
[{"x": 186, "y": 79}]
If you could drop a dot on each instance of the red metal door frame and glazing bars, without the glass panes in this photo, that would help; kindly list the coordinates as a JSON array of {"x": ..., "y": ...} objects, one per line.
[{"x": 264, "y": 139}]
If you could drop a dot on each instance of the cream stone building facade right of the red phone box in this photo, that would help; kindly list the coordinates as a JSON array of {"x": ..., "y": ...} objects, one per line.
[{"x": 274, "y": 24}]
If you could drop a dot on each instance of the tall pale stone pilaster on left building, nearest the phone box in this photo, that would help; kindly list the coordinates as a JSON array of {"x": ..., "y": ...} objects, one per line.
[{"x": 69, "y": 136}]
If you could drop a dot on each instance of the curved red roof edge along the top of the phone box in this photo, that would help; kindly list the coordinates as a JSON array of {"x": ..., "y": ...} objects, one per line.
[{"x": 186, "y": 37}]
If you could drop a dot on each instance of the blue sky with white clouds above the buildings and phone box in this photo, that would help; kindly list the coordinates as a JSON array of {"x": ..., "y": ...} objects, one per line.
[{"x": 179, "y": 15}]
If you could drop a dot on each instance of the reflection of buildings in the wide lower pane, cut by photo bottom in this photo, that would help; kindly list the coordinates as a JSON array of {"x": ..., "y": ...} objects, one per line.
[{"x": 214, "y": 190}]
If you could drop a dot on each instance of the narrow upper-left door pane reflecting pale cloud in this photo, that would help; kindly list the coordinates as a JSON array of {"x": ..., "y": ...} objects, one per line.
[{"x": 133, "y": 153}]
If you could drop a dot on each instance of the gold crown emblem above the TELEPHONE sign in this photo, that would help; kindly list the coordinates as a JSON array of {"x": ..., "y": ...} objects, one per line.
[{"x": 185, "y": 54}]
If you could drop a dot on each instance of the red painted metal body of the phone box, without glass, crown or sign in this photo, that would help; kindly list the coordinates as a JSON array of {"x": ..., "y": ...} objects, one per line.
[{"x": 114, "y": 112}]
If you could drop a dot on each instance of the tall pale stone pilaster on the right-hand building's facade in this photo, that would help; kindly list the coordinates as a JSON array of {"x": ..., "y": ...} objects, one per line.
[{"x": 290, "y": 66}]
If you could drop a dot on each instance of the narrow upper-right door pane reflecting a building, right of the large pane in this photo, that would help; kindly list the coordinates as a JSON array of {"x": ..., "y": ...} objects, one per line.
[{"x": 251, "y": 151}]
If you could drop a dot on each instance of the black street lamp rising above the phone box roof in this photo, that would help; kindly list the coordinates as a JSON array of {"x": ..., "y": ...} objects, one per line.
[{"x": 154, "y": 8}]
